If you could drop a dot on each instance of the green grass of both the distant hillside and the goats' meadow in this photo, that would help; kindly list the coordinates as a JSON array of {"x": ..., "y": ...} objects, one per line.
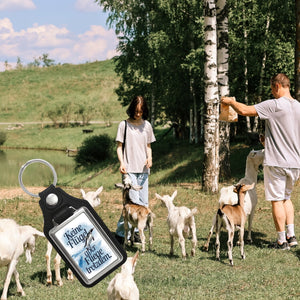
[{"x": 265, "y": 274}]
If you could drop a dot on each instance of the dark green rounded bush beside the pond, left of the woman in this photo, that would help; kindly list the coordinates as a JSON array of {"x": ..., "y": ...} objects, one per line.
[{"x": 95, "y": 149}]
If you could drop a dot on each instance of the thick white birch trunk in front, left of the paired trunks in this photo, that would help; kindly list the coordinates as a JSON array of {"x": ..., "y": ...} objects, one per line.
[{"x": 211, "y": 123}]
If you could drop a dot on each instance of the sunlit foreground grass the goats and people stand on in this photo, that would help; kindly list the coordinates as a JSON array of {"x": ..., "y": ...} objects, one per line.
[{"x": 264, "y": 274}]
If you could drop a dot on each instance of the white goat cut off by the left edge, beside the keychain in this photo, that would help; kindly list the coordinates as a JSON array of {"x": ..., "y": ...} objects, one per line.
[{"x": 14, "y": 239}]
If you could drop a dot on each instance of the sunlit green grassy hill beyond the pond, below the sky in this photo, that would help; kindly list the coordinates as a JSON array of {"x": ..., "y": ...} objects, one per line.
[{"x": 27, "y": 95}]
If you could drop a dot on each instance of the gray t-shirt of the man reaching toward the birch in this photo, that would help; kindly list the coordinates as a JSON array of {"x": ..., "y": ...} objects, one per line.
[{"x": 282, "y": 131}]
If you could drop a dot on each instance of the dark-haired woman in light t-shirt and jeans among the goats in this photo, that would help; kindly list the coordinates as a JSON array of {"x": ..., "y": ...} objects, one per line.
[{"x": 134, "y": 138}]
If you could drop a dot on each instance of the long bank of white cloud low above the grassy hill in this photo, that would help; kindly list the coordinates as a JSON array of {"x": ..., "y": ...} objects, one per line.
[{"x": 63, "y": 46}]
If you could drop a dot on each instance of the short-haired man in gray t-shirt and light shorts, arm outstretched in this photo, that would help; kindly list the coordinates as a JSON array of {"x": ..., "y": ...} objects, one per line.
[{"x": 282, "y": 153}]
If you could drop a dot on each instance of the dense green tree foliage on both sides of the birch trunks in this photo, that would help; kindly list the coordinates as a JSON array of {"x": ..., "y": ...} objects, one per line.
[{"x": 161, "y": 45}]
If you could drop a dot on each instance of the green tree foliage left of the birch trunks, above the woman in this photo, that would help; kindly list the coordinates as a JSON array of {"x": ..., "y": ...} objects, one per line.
[{"x": 158, "y": 39}]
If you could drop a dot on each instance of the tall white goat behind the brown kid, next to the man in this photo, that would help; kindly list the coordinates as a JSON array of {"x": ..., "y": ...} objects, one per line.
[{"x": 227, "y": 196}]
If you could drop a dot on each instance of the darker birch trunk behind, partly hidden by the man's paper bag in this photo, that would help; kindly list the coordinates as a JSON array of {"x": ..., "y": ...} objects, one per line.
[{"x": 223, "y": 84}]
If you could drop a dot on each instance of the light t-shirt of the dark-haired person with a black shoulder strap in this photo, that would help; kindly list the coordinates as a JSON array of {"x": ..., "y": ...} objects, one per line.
[{"x": 137, "y": 139}]
